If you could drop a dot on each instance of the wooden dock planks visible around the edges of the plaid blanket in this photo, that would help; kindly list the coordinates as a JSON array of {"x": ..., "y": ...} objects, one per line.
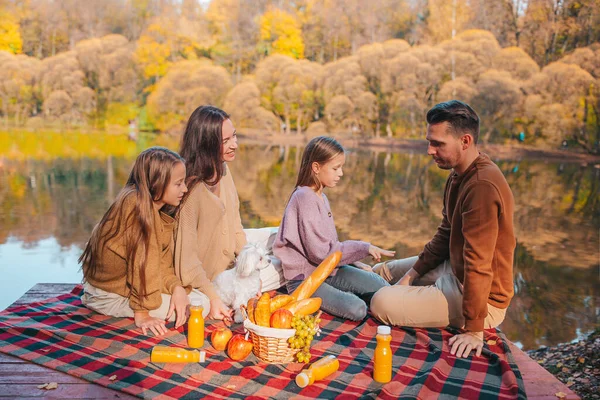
[{"x": 20, "y": 379}]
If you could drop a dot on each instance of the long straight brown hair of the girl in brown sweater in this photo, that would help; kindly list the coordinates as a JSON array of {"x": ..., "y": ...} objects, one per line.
[{"x": 148, "y": 182}]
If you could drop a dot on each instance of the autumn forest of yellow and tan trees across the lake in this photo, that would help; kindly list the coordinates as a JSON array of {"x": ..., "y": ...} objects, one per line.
[{"x": 305, "y": 67}]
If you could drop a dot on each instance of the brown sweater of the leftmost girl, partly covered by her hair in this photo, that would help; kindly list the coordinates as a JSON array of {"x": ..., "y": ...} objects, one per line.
[{"x": 118, "y": 275}]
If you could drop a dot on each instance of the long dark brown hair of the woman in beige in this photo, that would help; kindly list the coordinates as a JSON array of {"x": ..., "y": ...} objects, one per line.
[{"x": 201, "y": 146}]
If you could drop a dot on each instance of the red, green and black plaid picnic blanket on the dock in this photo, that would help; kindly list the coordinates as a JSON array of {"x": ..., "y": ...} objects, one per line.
[{"x": 62, "y": 334}]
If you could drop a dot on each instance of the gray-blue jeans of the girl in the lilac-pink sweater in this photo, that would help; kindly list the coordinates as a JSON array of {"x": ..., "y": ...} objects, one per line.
[{"x": 340, "y": 293}]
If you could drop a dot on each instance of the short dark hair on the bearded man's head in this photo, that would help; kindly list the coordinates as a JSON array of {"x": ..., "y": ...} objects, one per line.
[{"x": 460, "y": 116}]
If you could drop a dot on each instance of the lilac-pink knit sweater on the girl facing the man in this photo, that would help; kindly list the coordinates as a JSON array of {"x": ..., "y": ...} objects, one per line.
[{"x": 307, "y": 235}]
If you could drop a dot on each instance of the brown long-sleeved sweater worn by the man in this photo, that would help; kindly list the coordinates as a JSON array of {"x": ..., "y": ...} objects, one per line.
[{"x": 476, "y": 235}]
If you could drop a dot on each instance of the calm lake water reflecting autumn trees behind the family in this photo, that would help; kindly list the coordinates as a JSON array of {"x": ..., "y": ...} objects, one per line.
[{"x": 54, "y": 188}]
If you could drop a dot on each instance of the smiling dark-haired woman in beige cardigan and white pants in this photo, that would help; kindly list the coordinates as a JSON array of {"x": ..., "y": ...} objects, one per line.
[{"x": 210, "y": 233}]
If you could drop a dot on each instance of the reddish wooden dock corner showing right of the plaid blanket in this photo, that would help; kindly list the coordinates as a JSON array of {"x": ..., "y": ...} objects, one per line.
[{"x": 539, "y": 383}]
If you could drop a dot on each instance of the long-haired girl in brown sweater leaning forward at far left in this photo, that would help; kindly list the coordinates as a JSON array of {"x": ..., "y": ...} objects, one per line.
[{"x": 128, "y": 261}]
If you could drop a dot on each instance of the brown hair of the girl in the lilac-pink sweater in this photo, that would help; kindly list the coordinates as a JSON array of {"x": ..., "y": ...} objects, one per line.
[{"x": 320, "y": 150}]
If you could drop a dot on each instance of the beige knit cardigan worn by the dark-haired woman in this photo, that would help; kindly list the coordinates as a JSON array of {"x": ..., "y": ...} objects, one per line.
[{"x": 209, "y": 235}]
